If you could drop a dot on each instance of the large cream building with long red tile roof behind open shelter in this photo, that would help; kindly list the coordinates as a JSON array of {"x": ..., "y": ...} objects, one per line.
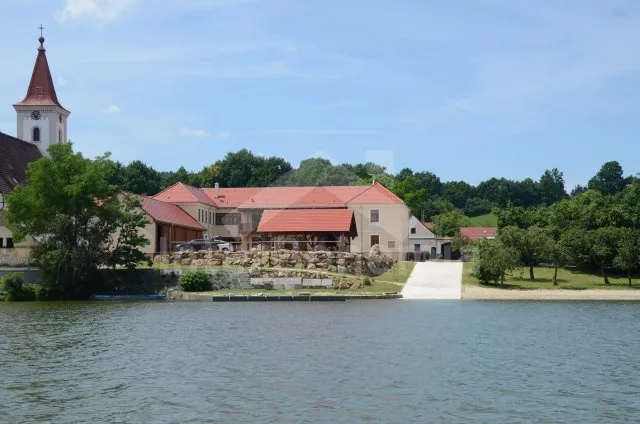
[{"x": 240, "y": 214}]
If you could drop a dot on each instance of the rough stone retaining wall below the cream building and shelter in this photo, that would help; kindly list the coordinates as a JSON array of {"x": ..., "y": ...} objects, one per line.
[{"x": 372, "y": 264}]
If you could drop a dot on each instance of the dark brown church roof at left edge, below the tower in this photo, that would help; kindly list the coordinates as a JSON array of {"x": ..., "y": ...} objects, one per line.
[{"x": 15, "y": 155}]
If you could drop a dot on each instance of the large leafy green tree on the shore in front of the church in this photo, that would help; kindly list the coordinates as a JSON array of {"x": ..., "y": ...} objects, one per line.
[{"x": 71, "y": 210}]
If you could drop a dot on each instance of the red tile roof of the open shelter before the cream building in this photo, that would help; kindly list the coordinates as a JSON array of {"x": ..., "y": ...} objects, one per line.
[{"x": 307, "y": 220}]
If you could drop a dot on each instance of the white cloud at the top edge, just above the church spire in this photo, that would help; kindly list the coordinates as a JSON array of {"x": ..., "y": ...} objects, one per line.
[{"x": 99, "y": 10}]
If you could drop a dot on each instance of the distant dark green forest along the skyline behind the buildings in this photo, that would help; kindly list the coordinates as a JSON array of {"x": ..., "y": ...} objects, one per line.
[{"x": 423, "y": 191}]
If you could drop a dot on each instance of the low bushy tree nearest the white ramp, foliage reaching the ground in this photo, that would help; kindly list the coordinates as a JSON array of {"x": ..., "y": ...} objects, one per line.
[{"x": 492, "y": 261}]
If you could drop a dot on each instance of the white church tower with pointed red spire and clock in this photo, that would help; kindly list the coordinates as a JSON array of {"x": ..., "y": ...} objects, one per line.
[{"x": 41, "y": 119}]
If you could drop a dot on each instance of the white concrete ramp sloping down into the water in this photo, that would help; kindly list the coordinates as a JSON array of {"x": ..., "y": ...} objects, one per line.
[{"x": 434, "y": 280}]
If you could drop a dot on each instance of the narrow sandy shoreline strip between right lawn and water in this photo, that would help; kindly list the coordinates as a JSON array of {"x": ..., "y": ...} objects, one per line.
[{"x": 472, "y": 292}]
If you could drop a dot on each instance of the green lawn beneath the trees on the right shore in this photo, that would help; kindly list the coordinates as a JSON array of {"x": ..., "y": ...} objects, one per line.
[{"x": 568, "y": 279}]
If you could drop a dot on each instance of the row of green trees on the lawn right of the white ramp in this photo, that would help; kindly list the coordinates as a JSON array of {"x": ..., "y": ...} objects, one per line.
[{"x": 595, "y": 230}]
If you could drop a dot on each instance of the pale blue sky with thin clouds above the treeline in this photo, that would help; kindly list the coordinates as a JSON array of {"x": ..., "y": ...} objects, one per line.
[{"x": 468, "y": 89}]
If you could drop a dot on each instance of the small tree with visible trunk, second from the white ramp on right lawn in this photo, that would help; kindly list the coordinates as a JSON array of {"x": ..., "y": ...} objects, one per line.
[{"x": 531, "y": 243}]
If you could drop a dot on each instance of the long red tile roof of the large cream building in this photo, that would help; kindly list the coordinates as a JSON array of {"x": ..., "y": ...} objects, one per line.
[{"x": 280, "y": 197}]
